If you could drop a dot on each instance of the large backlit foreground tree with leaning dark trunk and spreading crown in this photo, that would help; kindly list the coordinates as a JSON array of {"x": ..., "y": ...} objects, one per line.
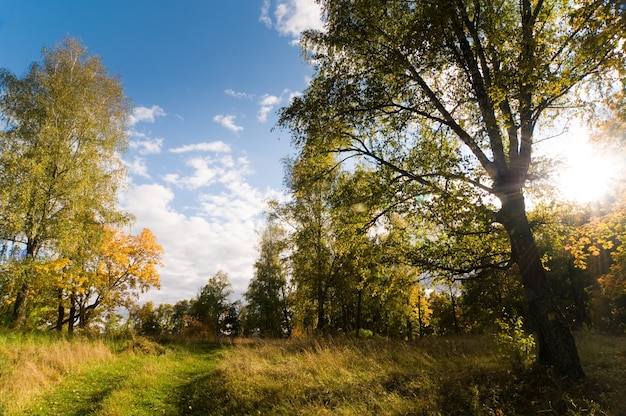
[{"x": 449, "y": 95}]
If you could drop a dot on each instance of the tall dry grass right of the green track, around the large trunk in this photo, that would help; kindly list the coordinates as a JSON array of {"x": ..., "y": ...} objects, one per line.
[{"x": 438, "y": 376}]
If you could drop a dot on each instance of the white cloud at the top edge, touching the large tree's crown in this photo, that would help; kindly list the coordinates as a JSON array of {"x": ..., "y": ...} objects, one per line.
[{"x": 292, "y": 17}]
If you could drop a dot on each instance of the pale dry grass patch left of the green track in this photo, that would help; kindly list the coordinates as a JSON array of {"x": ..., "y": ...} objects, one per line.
[{"x": 31, "y": 364}]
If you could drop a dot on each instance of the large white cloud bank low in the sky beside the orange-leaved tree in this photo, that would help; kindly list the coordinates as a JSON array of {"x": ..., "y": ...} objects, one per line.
[{"x": 220, "y": 236}]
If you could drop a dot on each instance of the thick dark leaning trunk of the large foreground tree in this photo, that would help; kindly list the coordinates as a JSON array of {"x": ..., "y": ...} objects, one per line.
[{"x": 557, "y": 347}]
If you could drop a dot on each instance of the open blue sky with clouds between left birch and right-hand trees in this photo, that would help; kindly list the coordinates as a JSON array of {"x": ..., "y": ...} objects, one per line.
[{"x": 206, "y": 79}]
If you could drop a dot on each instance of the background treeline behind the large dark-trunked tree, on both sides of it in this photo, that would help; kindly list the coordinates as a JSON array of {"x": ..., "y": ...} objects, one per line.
[{"x": 358, "y": 281}]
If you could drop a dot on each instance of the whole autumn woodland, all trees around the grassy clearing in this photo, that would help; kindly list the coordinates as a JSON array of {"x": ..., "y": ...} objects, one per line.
[{"x": 417, "y": 208}]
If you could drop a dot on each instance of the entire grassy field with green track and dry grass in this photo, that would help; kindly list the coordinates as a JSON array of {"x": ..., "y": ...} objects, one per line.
[{"x": 41, "y": 374}]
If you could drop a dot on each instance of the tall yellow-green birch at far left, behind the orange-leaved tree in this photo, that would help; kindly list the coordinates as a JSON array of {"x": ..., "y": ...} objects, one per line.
[{"x": 64, "y": 127}]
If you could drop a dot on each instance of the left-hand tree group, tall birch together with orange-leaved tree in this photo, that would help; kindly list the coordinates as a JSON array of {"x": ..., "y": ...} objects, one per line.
[{"x": 65, "y": 260}]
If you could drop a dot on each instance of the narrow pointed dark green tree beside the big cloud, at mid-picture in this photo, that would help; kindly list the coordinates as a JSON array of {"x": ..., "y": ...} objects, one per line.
[{"x": 266, "y": 297}]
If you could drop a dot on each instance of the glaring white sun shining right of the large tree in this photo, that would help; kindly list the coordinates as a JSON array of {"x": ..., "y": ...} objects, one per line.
[{"x": 589, "y": 171}]
